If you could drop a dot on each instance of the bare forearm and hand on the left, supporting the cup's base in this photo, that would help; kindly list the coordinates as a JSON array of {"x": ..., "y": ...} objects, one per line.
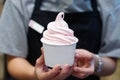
[{"x": 21, "y": 69}]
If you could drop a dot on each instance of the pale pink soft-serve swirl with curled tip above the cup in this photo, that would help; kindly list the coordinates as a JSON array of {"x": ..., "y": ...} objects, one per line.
[{"x": 58, "y": 32}]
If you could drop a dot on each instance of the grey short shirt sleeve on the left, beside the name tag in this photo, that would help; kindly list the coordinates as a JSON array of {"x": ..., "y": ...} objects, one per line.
[{"x": 13, "y": 36}]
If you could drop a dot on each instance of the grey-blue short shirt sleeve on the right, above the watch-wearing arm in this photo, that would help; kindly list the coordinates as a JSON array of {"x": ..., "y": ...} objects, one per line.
[{"x": 110, "y": 11}]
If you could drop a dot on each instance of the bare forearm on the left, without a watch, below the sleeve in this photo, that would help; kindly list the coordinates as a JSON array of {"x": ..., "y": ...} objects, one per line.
[{"x": 20, "y": 68}]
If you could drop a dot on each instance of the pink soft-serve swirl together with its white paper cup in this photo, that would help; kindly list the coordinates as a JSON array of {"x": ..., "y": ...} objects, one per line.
[{"x": 59, "y": 43}]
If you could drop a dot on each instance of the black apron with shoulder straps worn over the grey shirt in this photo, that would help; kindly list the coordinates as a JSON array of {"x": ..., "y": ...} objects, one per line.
[{"x": 87, "y": 28}]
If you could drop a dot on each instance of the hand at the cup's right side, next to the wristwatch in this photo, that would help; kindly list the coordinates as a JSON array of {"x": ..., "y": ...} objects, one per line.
[{"x": 84, "y": 64}]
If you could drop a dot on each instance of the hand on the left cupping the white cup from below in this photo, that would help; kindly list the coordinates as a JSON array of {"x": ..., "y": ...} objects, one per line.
[{"x": 56, "y": 73}]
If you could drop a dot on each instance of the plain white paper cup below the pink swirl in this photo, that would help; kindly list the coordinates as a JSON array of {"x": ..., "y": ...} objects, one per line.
[{"x": 59, "y": 54}]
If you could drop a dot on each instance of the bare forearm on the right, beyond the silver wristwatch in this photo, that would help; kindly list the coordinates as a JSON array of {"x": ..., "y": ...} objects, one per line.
[{"x": 109, "y": 66}]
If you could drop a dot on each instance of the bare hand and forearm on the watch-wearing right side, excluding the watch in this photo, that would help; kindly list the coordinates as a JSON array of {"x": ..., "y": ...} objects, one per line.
[{"x": 85, "y": 68}]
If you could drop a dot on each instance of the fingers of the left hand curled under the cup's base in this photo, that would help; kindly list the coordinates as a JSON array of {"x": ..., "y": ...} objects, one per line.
[{"x": 56, "y": 73}]
